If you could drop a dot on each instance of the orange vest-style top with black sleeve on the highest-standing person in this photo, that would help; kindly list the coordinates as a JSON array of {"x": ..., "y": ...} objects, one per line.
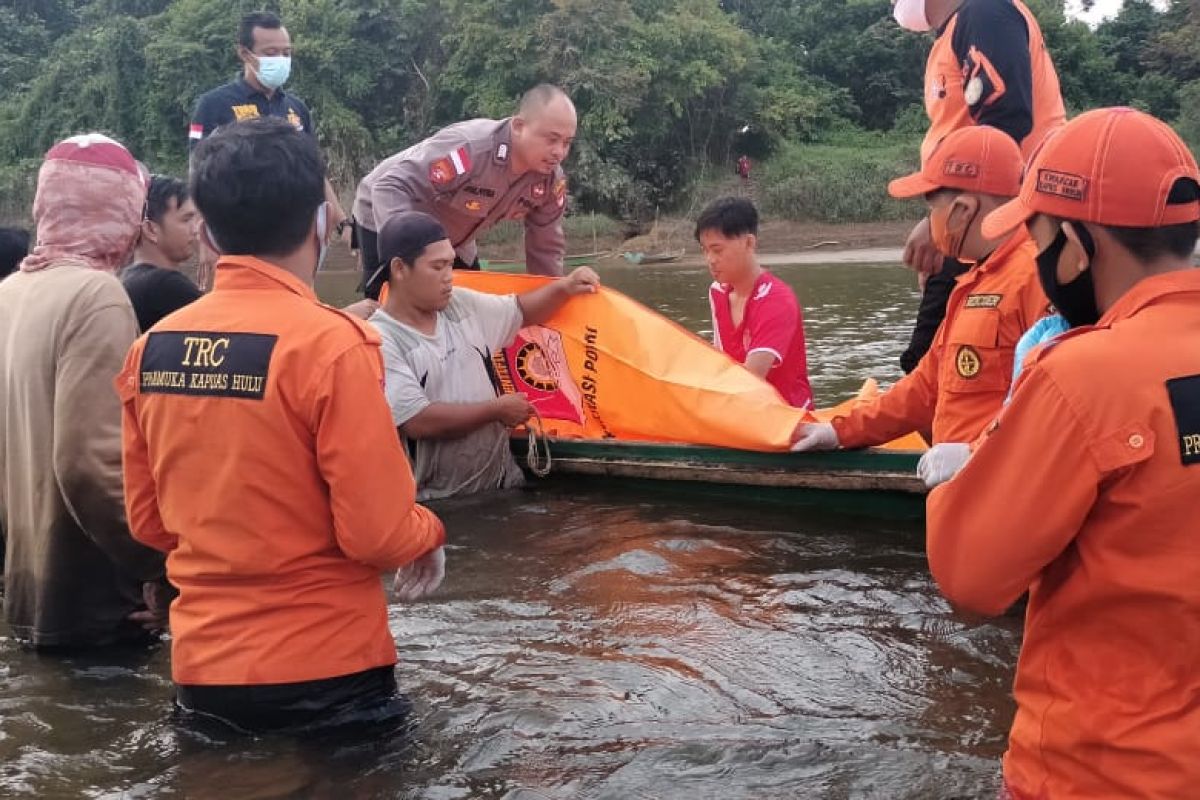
[{"x": 991, "y": 67}]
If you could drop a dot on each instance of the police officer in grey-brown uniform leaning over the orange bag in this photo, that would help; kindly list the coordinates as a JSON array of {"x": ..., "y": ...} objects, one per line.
[{"x": 475, "y": 175}]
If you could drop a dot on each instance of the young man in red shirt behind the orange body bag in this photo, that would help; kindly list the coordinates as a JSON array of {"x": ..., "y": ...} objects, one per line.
[{"x": 757, "y": 318}]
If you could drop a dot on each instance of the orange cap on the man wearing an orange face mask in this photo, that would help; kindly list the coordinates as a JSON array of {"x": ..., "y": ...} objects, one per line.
[{"x": 979, "y": 159}]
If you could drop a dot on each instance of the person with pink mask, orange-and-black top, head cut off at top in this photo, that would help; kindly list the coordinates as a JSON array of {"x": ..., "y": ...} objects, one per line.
[{"x": 989, "y": 65}]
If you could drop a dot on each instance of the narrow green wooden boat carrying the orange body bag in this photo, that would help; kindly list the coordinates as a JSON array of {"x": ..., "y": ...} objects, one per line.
[{"x": 873, "y": 483}]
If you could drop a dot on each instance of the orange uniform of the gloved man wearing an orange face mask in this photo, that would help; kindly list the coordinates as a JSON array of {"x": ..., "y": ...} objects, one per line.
[{"x": 962, "y": 383}]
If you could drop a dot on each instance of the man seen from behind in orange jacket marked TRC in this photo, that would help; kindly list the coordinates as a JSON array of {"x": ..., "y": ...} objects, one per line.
[{"x": 260, "y": 455}]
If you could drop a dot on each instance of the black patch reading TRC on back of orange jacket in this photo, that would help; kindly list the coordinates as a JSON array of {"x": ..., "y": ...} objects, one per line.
[{"x": 207, "y": 364}]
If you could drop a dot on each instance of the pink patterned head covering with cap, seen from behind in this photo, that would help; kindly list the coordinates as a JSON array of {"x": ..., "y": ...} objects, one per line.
[{"x": 89, "y": 204}]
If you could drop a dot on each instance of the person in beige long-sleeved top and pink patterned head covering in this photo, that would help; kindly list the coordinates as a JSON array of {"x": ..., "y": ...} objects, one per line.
[{"x": 75, "y": 578}]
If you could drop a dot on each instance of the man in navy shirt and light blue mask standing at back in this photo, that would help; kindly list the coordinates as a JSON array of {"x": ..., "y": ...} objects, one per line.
[{"x": 265, "y": 50}]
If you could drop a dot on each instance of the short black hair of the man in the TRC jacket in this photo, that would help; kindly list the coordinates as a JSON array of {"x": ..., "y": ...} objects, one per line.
[{"x": 259, "y": 184}]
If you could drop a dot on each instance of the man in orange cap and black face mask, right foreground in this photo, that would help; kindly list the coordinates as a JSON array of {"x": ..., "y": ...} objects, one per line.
[{"x": 1087, "y": 490}]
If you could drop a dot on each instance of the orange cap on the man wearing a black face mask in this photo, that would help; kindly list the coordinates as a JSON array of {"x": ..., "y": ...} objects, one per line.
[{"x": 1113, "y": 167}]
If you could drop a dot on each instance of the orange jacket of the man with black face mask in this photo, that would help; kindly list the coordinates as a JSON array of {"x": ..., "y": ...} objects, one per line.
[{"x": 1087, "y": 492}]
